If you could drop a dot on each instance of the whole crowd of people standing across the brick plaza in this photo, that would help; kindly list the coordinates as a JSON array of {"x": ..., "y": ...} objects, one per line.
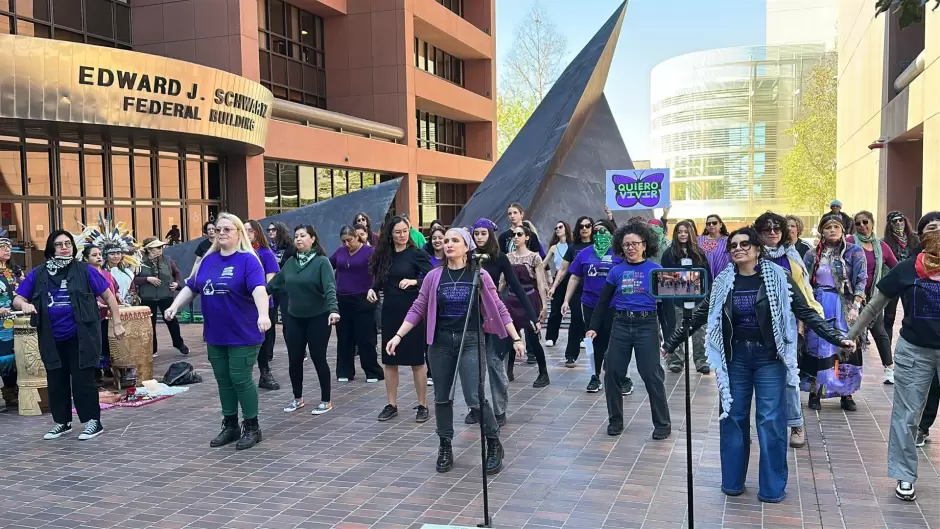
[{"x": 783, "y": 316}]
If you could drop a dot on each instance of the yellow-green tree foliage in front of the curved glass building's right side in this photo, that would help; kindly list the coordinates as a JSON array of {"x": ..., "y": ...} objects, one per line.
[{"x": 809, "y": 169}]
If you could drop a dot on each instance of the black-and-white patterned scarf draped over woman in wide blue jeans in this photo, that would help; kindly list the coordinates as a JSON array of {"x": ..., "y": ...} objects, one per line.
[{"x": 777, "y": 286}]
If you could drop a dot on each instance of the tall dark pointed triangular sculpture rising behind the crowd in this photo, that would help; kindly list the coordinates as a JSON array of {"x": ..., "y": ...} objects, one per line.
[{"x": 555, "y": 167}]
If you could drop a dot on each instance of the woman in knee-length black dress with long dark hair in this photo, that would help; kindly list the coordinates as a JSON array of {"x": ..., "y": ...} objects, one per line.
[{"x": 398, "y": 266}]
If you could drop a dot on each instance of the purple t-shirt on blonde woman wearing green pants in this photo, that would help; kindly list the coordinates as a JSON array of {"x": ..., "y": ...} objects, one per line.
[{"x": 226, "y": 284}]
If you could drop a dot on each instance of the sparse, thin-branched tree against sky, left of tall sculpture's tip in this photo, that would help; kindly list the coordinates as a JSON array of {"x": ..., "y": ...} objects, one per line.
[{"x": 535, "y": 61}]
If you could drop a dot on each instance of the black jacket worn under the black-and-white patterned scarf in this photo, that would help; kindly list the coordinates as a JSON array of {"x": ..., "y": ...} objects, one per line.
[{"x": 798, "y": 305}]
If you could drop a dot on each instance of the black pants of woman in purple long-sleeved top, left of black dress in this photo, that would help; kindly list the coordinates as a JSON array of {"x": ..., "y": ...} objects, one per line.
[{"x": 356, "y": 330}]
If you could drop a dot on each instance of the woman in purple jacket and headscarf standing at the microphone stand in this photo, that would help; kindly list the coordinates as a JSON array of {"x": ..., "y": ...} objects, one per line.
[{"x": 444, "y": 303}]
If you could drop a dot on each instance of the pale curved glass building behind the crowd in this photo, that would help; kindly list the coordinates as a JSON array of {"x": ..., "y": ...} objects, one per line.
[{"x": 719, "y": 121}]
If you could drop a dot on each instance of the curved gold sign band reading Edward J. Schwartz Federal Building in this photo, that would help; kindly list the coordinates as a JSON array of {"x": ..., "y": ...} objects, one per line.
[{"x": 80, "y": 84}]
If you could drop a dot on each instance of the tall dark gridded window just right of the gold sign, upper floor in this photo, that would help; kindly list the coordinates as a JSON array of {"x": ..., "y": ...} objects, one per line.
[{"x": 291, "y": 53}]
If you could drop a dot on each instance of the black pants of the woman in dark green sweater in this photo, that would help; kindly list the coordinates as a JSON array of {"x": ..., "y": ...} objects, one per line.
[{"x": 299, "y": 333}]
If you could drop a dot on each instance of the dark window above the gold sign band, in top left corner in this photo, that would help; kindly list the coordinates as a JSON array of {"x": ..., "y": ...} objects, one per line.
[{"x": 99, "y": 22}]
